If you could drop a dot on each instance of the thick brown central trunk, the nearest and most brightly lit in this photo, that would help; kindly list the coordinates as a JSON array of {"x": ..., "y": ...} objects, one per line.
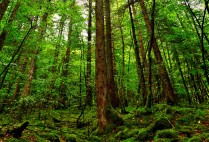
[{"x": 101, "y": 87}]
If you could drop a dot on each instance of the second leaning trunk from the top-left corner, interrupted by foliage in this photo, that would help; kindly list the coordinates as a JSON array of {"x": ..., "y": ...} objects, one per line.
[{"x": 5, "y": 32}]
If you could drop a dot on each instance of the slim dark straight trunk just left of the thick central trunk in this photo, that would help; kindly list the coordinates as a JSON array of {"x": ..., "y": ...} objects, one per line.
[{"x": 88, "y": 70}]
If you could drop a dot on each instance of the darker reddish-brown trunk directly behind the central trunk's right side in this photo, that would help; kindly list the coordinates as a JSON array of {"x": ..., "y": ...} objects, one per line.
[{"x": 110, "y": 71}]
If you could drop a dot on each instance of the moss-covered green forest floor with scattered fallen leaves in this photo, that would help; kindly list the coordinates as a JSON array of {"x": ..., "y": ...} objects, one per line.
[{"x": 162, "y": 123}]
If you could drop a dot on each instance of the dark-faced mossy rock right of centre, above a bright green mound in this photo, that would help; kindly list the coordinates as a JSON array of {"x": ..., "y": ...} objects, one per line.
[{"x": 160, "y": 124}]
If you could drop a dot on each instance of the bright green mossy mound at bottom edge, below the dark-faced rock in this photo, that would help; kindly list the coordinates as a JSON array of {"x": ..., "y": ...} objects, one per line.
[{"x": 167, "y": 133}]
